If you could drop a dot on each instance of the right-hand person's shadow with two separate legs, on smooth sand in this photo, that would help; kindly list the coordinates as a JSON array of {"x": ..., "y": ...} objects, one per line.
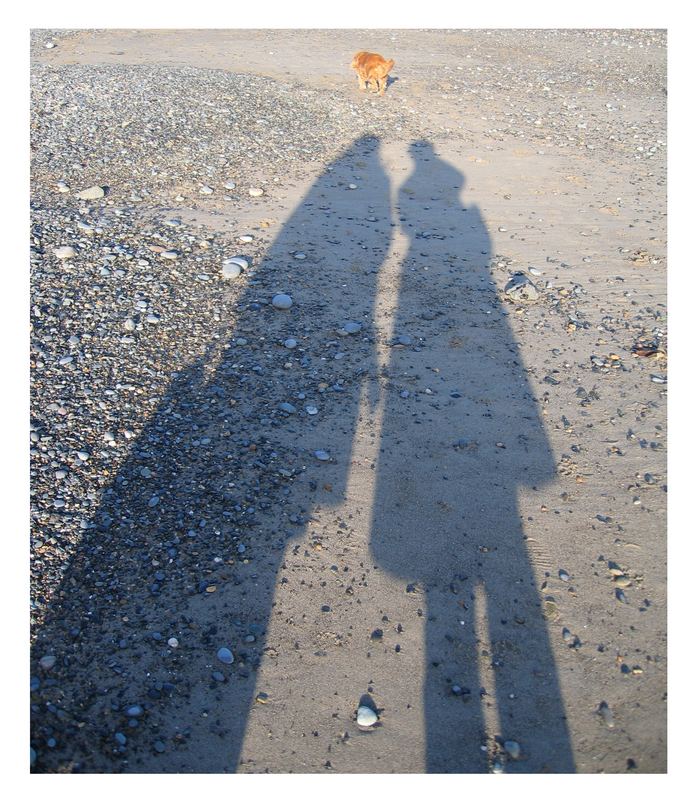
[{"x": 461, "y": 434}]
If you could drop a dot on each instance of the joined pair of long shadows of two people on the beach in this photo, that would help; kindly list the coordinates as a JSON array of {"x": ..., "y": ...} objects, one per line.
[{"x": 444, "y": 517}]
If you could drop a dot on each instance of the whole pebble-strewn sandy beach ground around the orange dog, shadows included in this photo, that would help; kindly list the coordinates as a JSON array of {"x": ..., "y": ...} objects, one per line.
[{"x": 452, "y": 511}]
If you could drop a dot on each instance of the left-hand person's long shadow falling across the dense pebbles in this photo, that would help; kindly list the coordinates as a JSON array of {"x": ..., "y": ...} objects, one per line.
[{"x": 183, "y": 555}]
